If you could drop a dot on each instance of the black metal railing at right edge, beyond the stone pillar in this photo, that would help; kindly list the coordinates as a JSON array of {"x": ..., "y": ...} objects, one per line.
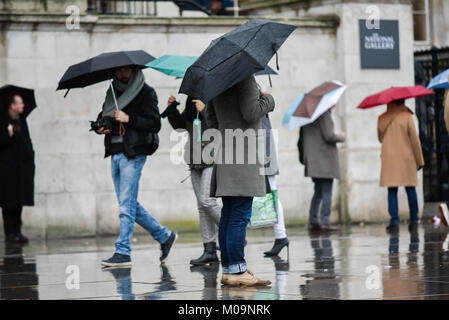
[{"x": 435, "y": 144}]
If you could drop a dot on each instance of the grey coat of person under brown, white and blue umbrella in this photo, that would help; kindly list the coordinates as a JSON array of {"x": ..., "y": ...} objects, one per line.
[{"x": 320, "y": 148}]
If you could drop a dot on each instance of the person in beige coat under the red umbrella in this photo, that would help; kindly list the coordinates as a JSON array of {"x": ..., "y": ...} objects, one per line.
[{"x": 401, "y": 159}]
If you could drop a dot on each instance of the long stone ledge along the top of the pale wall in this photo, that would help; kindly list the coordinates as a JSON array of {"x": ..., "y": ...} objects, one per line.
[{"x": 319, "y": 21}]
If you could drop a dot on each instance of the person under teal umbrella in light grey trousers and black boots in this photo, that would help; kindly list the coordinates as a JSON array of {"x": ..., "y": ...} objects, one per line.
[{"x": 201, "y": 173}]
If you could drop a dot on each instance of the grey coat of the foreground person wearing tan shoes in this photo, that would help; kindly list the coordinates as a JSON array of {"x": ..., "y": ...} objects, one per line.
[{"x": 240, "y": 107}]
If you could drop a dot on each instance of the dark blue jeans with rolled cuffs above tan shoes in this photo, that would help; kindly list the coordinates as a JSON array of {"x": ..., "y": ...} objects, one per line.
[{"x": 235, "y": 216}]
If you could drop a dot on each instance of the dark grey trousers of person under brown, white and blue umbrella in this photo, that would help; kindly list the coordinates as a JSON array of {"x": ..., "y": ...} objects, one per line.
[{"x": 323, "y": 196}]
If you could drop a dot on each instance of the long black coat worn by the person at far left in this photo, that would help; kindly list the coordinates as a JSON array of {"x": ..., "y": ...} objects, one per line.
[{"x": 16, "y": 165}]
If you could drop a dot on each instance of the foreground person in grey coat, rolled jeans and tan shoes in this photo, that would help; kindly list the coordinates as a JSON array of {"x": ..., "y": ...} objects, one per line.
[{"x": 238, "y": 111}]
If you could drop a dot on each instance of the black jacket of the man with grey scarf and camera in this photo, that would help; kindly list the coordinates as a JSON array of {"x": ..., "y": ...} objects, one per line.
[{"x": 144, "y": 124}]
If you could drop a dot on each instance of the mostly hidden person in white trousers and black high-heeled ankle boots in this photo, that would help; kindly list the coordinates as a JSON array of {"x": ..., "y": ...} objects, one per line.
[{"x": 272, "y": 170}]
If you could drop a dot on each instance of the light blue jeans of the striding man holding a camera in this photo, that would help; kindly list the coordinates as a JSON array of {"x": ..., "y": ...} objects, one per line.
[{"x": 126, "y": 175}]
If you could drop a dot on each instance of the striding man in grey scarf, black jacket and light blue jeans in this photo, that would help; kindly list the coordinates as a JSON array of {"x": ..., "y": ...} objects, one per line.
[{"x": 131, "y": 139}]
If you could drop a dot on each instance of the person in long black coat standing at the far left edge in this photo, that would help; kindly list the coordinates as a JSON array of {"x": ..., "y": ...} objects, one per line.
[{"x": 16, "y": 168}]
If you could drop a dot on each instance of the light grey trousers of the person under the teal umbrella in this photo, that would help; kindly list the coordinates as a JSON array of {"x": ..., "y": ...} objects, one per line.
[{"x": 208, "y": 208}]
